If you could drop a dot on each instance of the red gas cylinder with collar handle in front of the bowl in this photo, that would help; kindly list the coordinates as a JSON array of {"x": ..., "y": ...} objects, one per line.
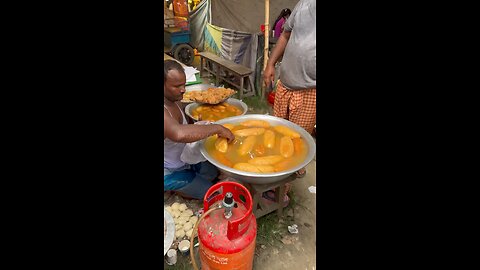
[{"x": 227, "y": 239}]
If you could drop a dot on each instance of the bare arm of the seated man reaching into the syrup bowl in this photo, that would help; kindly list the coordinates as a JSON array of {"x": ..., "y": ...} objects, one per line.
[{"x": 192, "y": 133}]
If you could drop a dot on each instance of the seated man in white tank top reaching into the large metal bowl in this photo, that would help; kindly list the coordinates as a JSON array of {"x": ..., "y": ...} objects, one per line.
[{"x": 189, "y": 180}]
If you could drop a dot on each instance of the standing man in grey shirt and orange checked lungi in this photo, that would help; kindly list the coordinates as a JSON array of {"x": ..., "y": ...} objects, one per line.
[{"x": 295, "y": 97}]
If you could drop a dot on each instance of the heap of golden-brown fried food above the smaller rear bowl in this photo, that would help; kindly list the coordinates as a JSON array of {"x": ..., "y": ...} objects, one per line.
[{"x": 212, "y": 95}]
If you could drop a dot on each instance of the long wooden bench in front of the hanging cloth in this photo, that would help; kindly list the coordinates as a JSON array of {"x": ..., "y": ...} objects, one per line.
[{"x": 216, "y": 65}]
